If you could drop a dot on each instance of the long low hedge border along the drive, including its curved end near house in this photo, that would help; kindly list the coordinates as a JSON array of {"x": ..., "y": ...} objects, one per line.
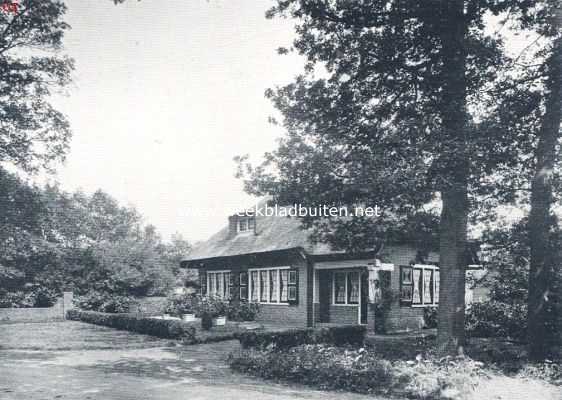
[{"x": 187, "y": 332}]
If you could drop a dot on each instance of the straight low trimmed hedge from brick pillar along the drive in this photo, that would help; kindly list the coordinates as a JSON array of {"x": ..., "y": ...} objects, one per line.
[{"x": 168, "y": 329}]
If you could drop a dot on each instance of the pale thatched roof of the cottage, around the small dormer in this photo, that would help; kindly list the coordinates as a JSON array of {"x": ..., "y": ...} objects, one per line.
[{"x": 272, "y": 233}]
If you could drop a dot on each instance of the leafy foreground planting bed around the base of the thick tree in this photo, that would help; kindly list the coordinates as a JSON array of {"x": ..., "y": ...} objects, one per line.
[{"x": 401, "y": 367}]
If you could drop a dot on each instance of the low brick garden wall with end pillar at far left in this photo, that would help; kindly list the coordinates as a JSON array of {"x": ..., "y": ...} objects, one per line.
[{"x": 54, "y": 313}]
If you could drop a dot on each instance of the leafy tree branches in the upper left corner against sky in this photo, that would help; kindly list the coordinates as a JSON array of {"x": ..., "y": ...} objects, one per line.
[{"x": 32, "y": 132}]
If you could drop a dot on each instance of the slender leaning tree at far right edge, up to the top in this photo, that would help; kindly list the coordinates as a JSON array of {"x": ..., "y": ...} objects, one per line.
[{"x": 544, "y": 240}]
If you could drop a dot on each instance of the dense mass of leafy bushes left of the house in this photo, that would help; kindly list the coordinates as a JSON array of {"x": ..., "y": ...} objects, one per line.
[{"x": 86, "y": 243}]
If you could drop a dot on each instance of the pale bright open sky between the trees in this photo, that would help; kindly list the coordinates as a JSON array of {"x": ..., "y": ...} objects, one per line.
[{"x": 164, "y": 95}]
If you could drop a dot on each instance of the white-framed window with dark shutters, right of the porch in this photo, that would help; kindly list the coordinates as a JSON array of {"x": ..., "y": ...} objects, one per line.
[{"x": 419, "y": 285}]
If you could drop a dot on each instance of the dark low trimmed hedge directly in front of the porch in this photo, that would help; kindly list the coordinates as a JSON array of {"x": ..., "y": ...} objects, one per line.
[{"x": 337, "y": 335}]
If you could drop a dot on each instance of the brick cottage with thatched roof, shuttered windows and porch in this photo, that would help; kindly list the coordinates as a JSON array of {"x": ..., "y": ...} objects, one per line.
[{"x": 271, "y": 261}]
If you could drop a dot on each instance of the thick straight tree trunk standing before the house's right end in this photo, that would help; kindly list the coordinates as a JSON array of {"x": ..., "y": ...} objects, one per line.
[{"x": 454, "y": 169}]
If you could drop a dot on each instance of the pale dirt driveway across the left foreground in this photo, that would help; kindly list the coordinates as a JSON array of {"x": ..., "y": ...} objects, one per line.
[{"x": 72, "y": 360}]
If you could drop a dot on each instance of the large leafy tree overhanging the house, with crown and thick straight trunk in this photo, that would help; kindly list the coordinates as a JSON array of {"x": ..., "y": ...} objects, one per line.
[{"x": 388, "y": 112}]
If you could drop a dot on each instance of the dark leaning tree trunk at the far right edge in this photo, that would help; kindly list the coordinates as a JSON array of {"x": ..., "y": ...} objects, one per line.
[{"x": 542, "y": 317}]
